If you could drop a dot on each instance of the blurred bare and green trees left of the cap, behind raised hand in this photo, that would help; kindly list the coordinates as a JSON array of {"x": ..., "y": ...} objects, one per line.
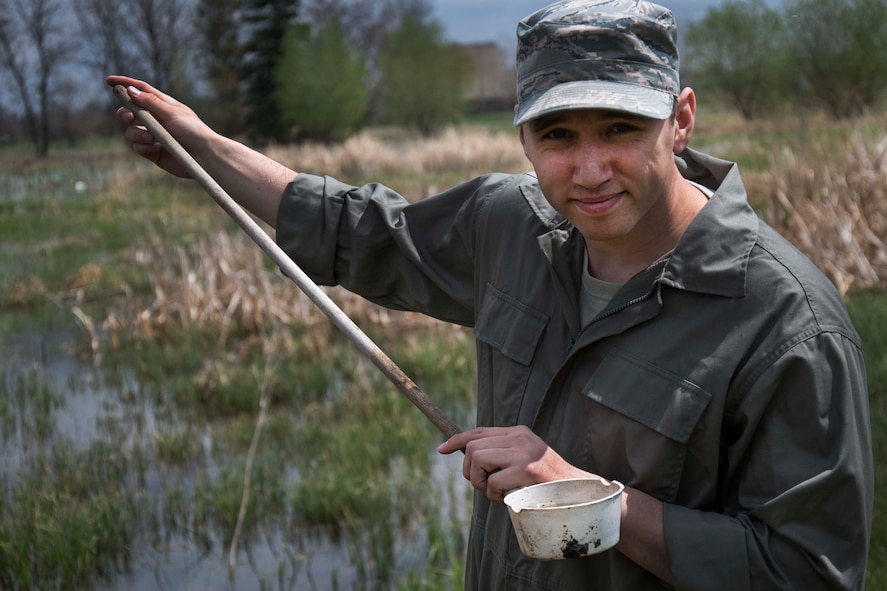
[{"x": 267, "y": 70}]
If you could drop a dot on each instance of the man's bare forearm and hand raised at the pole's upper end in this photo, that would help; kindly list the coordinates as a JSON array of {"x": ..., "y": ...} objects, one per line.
[{"x": 255, "y": 181}]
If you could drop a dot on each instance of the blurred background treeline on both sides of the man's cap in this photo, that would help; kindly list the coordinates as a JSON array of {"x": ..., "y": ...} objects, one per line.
[{"x": 285, "y": 70}]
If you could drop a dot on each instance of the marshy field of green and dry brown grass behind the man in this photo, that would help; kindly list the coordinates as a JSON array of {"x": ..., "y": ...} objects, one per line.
[{"x": 188, "y": 333}]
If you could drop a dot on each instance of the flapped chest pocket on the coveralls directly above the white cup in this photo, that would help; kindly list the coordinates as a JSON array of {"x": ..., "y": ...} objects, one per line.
[{"x": 641, "y": 420}]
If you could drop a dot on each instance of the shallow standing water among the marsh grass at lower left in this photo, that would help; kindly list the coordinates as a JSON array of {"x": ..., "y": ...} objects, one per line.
[{"x": 88, "y": 406}]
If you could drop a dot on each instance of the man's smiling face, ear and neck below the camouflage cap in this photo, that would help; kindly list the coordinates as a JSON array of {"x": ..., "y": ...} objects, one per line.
[{"x": 613, "y": 176}]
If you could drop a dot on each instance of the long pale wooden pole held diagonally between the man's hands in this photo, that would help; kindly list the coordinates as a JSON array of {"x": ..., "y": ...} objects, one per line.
[{"x": 290, "y": 268}]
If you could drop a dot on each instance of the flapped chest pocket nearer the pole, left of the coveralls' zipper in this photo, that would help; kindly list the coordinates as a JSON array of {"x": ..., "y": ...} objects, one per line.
[{"x": 509, "y": 333}]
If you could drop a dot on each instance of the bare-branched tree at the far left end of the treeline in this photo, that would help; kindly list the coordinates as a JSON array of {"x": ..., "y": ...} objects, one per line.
[{"x": 33, "y": 47}]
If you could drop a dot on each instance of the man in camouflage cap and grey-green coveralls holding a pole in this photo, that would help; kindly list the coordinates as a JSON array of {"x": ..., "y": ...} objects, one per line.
[{"x": 635, "y": 320}]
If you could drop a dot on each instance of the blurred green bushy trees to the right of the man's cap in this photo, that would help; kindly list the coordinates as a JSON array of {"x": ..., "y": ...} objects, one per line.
[{"x": 809, "y": 54}]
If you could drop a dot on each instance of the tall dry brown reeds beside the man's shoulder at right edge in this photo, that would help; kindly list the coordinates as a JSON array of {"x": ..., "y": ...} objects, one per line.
[{"x": 832, "y": 204}]
